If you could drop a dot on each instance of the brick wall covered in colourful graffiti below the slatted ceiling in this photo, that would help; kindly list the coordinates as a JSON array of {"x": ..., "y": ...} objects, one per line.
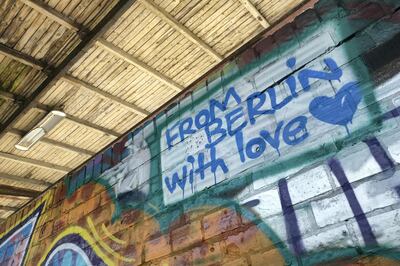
[{"x": 286, "y": 155}]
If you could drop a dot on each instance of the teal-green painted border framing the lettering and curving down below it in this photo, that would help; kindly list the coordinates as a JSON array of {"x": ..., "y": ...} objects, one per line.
[{"x": 210, "y": 197}]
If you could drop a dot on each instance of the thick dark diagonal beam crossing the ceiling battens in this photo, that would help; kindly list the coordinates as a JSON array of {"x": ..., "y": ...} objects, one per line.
[{"x": 87, "y": 41}]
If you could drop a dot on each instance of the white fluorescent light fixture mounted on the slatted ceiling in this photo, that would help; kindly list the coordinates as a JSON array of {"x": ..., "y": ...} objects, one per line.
[{"x": 51, "y": 120}]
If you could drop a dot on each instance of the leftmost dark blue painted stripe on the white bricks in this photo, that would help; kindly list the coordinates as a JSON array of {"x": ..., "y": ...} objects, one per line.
[{"x": 291, "y": 223}]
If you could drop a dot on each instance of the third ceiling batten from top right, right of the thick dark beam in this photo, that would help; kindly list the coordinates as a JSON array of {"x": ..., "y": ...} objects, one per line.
[{"x": 111, "y": 48}]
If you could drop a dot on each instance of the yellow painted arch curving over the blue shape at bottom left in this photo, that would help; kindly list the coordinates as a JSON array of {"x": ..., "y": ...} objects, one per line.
[{"x": 86, "y": 236}]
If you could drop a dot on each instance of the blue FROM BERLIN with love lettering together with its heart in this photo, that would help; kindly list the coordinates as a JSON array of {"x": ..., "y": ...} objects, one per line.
[{"x": 231, "y": 117}]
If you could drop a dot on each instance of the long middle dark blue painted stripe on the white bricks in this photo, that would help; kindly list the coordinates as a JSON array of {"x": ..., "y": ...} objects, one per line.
[{"x": 363, "y": 224}]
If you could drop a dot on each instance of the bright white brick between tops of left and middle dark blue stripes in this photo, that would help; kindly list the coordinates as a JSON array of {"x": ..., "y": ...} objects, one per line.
[{"x": 309, "y": 184}]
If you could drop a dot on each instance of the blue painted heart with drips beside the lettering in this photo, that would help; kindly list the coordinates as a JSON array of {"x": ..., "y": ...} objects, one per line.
[{"x": 340, "y": 109}]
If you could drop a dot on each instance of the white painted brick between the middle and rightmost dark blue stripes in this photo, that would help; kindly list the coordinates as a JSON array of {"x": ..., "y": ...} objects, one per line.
[{"x": 358, "y": 165}]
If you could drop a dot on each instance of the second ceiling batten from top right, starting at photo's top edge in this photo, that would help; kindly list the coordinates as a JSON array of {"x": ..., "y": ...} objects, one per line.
[{"x": 175, "y": 24}]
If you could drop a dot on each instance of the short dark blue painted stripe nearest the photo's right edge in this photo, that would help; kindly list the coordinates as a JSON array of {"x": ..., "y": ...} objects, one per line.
[{"x": 382, "y": 158}]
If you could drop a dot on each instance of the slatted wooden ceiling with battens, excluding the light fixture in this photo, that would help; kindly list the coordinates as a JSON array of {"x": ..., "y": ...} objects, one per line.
[{"x": 108, "y": 64}]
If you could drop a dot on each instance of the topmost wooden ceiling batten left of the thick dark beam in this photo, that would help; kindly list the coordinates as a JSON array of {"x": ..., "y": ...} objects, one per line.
[{"x": 49, "y": 12}]
